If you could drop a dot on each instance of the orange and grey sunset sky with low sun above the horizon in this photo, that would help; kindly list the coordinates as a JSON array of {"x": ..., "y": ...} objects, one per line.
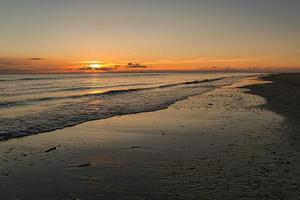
[{"x": 140, "y": 35}]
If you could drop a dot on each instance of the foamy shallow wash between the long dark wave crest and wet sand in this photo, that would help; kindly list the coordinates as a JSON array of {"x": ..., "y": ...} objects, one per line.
[{"x": 68, "y": 115}]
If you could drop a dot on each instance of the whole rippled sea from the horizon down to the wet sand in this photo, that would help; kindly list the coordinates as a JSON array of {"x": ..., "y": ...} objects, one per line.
[{"x": 31, "y": 104}]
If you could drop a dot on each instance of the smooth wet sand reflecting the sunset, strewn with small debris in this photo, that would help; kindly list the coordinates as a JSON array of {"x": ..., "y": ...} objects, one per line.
[{"x": 224, "y": 144}]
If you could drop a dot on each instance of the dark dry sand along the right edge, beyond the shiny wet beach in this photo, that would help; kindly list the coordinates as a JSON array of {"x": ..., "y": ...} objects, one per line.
[{"x": 283, "y": 97}]
